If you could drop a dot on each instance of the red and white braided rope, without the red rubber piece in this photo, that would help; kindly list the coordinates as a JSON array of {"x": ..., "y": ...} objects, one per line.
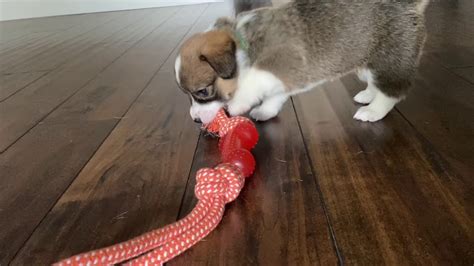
[{"x": 214, "y": 188}]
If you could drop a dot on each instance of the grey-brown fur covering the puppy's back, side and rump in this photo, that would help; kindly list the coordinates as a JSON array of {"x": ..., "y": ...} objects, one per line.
[{"x": 311, "y": 40}]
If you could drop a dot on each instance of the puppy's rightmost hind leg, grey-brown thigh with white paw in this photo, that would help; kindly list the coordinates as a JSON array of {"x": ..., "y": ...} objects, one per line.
[{"x": 393, "y": 66}]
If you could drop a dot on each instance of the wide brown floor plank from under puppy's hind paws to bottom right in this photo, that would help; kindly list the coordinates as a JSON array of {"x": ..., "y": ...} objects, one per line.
[{"x": 391, "y": 199}]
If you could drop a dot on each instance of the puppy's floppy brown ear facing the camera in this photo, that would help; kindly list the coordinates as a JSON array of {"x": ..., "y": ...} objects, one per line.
[{"x": 219, "y": 52}]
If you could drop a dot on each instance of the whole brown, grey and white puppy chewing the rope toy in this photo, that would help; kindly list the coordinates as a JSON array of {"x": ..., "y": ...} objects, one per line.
[{"x": 257, "y": 61}]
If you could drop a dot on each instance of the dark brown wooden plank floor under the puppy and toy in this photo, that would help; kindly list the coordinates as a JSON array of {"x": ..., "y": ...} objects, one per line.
[{"x": 96, "y": 146}]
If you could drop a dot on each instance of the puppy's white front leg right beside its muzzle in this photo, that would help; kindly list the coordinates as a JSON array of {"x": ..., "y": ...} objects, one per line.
[{"x": 253, "y": 86}]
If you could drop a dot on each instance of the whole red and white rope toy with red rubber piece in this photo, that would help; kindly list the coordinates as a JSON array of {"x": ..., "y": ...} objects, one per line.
[{"x": 214, "y": 188}]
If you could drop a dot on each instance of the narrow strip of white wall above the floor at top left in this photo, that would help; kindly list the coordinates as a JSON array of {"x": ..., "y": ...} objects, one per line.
[{"x": 18, "y": 9}]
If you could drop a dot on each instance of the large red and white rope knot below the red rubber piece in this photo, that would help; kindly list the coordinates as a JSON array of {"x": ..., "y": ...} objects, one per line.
[{"x": 224, "y": 180}]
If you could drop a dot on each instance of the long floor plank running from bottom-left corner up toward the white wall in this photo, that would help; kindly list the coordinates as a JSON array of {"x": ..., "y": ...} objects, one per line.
[{"x": 74, "y": 131}]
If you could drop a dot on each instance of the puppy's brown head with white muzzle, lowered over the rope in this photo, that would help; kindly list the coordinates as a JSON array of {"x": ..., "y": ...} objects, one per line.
[{"x": 205, "y": 69}]
